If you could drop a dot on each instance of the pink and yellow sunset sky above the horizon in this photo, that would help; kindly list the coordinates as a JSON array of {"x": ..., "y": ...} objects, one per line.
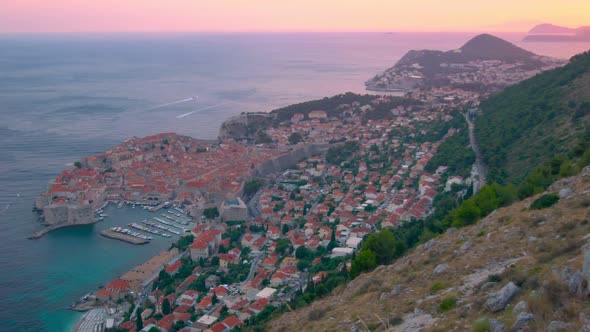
[{"x": 293, "y": 15}]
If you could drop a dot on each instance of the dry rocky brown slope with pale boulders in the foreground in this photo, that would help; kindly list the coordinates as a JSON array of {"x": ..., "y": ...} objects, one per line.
[{"x": 519, "y": 269}]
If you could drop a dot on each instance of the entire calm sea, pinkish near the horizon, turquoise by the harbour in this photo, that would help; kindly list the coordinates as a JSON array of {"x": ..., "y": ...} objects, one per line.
[{"x": 66, "y": 96}]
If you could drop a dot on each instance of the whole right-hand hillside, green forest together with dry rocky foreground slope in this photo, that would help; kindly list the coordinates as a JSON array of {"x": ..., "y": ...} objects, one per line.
[{"x": 483, "y": 255}]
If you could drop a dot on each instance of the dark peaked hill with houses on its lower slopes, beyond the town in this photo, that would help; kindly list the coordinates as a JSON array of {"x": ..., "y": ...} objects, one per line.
[{"x": 484, "y": 61}]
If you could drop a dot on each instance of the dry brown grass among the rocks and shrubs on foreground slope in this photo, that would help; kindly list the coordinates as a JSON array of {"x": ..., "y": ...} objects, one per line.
[{"x": 506, "y": 236}]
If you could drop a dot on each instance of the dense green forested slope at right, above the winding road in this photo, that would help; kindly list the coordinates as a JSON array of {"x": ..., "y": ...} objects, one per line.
[{"x": 534, "y": 121}]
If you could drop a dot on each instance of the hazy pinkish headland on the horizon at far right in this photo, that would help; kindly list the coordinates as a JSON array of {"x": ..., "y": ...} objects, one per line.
[{"x": 554, "y": 33}]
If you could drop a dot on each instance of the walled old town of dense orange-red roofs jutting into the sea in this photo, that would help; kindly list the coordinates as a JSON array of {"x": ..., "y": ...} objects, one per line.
[{"x": 159, "y": 170}]
